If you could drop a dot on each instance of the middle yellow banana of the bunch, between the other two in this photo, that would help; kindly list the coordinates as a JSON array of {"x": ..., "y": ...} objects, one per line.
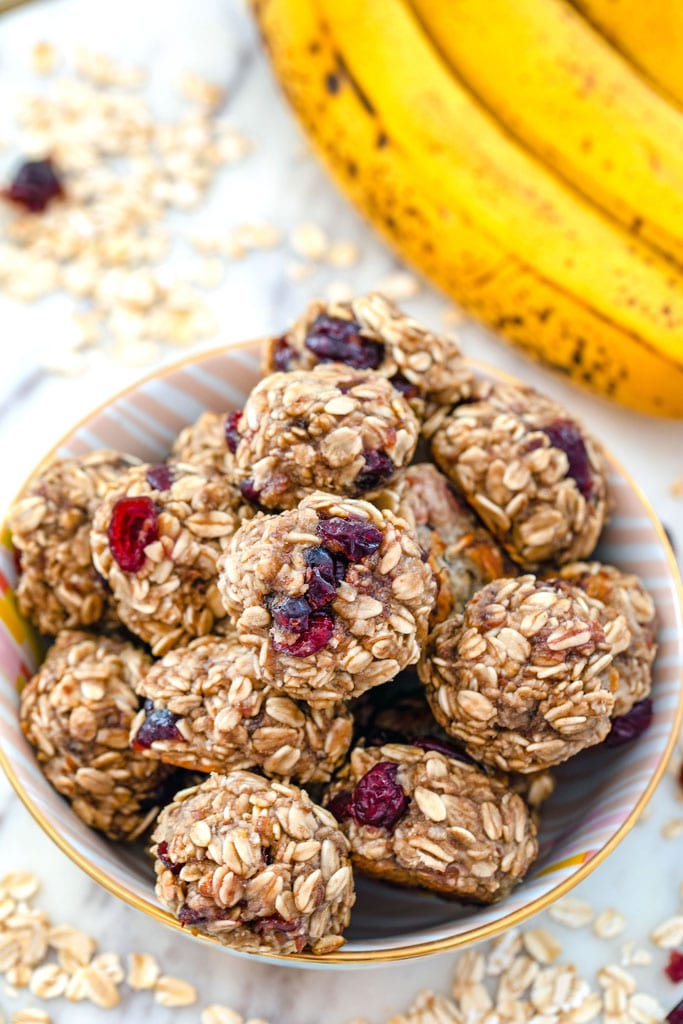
[{"x": 556, "y": 83}]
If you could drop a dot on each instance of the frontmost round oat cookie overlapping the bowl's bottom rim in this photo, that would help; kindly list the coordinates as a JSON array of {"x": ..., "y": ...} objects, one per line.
[{"x": 255, "y": 865}]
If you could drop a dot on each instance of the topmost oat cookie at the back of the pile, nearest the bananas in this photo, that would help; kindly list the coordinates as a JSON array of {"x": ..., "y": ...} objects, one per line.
[{"x": 371, "y": 333}]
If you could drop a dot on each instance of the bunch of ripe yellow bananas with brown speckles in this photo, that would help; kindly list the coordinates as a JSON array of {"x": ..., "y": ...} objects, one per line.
[{"x": 518, "y": 156}]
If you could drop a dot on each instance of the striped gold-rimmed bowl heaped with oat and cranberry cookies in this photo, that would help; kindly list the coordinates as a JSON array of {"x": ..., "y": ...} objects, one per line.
[{"x": 336, "y": 648}]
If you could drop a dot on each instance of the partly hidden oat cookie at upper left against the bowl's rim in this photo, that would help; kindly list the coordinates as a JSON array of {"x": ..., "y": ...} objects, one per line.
[{"x": 59, "y": 587}]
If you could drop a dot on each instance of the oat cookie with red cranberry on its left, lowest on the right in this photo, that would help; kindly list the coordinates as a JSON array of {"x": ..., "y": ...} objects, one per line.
[{"x": 419, "y": 819}]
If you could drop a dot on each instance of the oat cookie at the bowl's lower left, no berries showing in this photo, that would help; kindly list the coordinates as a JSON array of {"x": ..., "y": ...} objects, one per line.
[{"x": 76, "y": 713}]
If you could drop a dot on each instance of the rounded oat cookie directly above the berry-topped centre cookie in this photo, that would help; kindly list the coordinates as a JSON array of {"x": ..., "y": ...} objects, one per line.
[{"x": 332, "y": 429}]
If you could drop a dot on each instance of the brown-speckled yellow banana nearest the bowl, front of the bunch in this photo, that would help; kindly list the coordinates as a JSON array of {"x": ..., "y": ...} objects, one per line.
[{"x": 458, "y": 198}]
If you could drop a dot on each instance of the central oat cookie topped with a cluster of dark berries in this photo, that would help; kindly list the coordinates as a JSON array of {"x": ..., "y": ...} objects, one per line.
[{"x": 333, "y": 595}]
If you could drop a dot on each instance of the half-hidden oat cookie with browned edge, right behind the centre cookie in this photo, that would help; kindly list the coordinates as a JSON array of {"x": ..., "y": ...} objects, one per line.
[{"x": 462, "y": 553}]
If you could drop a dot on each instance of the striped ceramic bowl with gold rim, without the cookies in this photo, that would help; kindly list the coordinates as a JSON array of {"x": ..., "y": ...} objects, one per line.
[{"x": 601, "y": 793}]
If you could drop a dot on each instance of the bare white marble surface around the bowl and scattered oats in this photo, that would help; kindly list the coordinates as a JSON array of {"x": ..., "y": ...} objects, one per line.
[{"x": 283, "y": 185}]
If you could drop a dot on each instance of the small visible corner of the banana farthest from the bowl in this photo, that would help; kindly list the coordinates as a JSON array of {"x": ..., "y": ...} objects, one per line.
[{"x": 650, "y": 34}]
